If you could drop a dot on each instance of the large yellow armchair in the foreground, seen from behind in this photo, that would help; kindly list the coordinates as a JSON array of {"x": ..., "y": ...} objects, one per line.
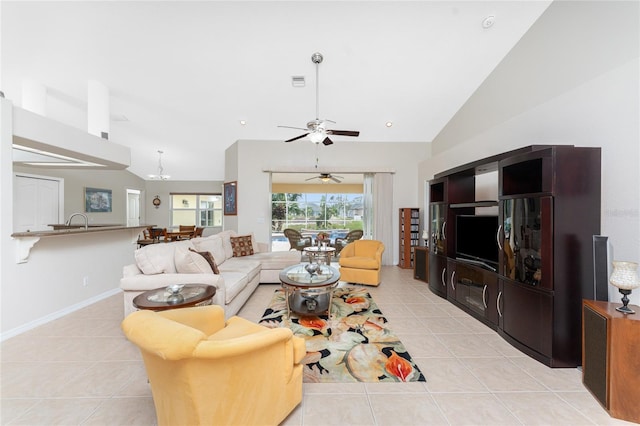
[{"x": 203, "y": 371}]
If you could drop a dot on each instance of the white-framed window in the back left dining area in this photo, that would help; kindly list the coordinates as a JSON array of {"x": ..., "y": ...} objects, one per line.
[{"x": 202, "y": 210}]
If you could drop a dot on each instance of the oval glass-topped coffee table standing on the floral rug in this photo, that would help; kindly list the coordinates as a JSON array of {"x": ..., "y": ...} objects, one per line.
[{"x": 309, "y": 293}]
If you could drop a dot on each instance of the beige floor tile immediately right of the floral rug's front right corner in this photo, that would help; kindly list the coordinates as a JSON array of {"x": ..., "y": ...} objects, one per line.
[{"x": 449, "y": 375}]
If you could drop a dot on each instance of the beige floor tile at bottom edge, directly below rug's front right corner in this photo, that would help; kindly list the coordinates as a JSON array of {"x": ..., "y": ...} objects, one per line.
[{"x": 405, "y": 409}]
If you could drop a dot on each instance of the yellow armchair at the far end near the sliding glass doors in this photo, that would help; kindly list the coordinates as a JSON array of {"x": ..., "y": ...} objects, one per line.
[{"x": 361, "y": 262}]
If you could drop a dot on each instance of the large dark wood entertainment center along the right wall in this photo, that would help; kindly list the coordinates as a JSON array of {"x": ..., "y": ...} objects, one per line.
[{"x": 549, "y": 210}]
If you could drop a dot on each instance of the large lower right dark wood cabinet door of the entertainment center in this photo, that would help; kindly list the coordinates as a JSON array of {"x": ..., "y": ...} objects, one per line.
[{"x": 527, "y": 316}]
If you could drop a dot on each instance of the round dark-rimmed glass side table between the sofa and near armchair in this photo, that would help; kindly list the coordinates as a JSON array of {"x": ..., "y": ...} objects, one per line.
[{"x": 177, "y": 296}]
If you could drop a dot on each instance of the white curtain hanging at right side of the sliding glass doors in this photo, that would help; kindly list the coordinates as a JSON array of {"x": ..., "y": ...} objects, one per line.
[{"x": 383, "y": 214}]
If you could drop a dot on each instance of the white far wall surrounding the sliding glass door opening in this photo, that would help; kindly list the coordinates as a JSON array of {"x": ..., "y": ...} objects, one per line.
[{"x": 254, "y": 192}]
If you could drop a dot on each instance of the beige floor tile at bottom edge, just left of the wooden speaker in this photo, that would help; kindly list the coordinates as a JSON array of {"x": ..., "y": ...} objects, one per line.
[{"x": 542, "y": 408}]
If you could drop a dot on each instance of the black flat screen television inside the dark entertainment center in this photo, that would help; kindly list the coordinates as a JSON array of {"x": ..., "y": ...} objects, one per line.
[{"x": 476, "y": 240}]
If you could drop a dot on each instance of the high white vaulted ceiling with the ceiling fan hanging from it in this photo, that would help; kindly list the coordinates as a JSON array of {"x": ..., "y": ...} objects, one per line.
[{"x": 181, "y": 75}]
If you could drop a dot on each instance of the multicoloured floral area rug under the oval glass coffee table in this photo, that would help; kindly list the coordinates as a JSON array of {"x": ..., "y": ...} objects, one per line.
[{"x": 354, "y": 345}]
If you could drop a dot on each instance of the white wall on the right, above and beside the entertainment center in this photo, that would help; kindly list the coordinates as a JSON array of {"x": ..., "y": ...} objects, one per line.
[{"x": 593, "y": 104}]
